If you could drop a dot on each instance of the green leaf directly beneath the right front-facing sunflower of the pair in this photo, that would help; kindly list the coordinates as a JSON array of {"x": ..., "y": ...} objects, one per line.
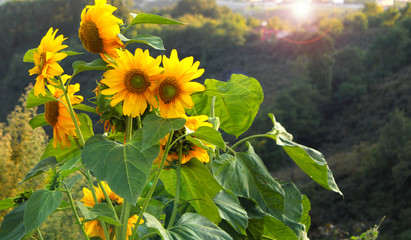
[{"x": 155, "y": 128}]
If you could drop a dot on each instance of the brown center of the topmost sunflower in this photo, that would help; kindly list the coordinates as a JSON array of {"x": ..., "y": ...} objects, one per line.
[{"x": 90, "y": 37}]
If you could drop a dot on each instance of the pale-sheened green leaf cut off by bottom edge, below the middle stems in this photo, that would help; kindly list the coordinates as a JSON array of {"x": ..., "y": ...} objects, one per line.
[{"x": 196, "y": 227}]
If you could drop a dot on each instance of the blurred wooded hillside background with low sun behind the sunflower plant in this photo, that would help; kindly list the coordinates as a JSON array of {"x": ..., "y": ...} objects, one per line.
[{"x": 335, "y": 73}]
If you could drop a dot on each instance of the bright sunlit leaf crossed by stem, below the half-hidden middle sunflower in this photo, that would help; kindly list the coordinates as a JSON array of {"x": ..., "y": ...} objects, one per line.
[{"x": 198, "y": 187}]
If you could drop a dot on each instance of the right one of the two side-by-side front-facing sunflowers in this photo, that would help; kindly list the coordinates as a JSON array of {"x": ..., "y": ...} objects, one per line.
[{"x": 175, "y": 88}]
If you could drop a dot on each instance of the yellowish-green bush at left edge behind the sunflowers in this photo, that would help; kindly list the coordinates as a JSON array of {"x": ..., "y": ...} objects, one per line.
[{"x": 20, "y": 149}]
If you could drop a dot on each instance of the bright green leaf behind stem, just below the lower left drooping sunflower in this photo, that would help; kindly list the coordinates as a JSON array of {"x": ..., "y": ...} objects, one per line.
[{"x": 61, "y": 154}]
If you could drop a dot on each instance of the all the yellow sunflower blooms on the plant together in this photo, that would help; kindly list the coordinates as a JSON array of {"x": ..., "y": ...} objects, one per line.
[{"x": 135, "y": 82}]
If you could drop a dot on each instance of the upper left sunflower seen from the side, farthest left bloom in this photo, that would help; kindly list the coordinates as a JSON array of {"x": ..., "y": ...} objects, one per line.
[{"x": 45, "y": 58}]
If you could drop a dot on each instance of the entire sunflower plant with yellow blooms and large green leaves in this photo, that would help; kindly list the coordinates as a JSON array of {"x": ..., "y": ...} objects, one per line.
[{"x": 161, "y": 169}]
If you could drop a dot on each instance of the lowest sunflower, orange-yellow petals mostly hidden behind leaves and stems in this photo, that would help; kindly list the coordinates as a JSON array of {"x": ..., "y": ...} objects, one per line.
[{"x": 94, "y": 228}]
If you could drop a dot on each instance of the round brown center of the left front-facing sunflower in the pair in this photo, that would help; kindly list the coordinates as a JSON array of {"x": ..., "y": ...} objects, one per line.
[{"x": 136, "y": 81}]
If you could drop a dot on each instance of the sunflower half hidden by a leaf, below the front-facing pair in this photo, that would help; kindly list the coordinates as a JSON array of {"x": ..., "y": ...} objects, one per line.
[{"x": 189, "y": 150}]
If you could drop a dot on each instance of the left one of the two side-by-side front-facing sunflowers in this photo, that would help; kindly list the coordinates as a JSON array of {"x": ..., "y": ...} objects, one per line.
[{"x": 133, "y": 81}]
